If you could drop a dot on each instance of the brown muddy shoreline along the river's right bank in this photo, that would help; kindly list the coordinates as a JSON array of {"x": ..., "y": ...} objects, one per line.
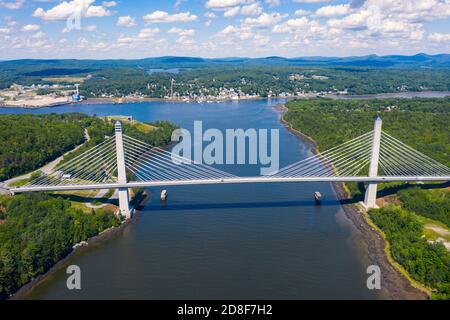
[{"x": 397, "y": 286}]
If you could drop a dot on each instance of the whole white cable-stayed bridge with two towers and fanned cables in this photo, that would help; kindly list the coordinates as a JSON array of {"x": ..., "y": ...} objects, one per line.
[{"x": 122, "y": 162}]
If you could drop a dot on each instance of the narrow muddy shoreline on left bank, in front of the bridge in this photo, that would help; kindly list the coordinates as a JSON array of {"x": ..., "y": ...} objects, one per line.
[{"x": 104, "y": 236}]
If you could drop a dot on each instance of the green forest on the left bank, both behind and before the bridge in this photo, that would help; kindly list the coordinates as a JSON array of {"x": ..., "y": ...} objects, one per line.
[{"x": 38, "y": 230}]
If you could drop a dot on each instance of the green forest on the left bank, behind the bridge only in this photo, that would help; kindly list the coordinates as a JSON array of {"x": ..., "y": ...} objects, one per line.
[{"x": 27, "y": 142}]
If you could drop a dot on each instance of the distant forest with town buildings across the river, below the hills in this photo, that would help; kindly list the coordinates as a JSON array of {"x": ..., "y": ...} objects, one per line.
[{"x": 122, "y": 78}]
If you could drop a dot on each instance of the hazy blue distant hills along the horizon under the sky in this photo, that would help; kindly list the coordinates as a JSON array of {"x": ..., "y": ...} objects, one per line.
[{"x": 420, "y": 60}]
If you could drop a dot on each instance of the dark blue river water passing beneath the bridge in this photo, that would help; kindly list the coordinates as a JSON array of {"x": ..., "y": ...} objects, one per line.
[{"x": 226, "y": 241}]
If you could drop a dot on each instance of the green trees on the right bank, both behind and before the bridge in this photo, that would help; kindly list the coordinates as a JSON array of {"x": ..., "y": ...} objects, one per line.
[{"x": 420, "y": 123}]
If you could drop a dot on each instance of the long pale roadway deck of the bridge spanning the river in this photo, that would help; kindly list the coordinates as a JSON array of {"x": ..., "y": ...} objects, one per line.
[{"x": 237, "y": 180}]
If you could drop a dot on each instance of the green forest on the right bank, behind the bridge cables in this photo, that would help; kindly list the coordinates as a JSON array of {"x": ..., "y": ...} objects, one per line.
[{"x": 421, "y": 123}]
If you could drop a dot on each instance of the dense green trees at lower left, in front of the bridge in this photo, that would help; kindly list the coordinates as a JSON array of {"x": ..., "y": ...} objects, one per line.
[{"x": 38, "y": 231}]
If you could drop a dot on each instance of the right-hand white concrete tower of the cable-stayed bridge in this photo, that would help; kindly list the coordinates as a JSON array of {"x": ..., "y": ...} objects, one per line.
[{"x": 370, "y": 198}]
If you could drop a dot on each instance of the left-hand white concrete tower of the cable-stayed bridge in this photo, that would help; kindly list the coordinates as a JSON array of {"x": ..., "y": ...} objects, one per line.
[{"x": 124, "y": 197}]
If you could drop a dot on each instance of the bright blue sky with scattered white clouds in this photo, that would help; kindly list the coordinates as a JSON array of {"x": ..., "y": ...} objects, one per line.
[{"x": 131, "y": 29}]
